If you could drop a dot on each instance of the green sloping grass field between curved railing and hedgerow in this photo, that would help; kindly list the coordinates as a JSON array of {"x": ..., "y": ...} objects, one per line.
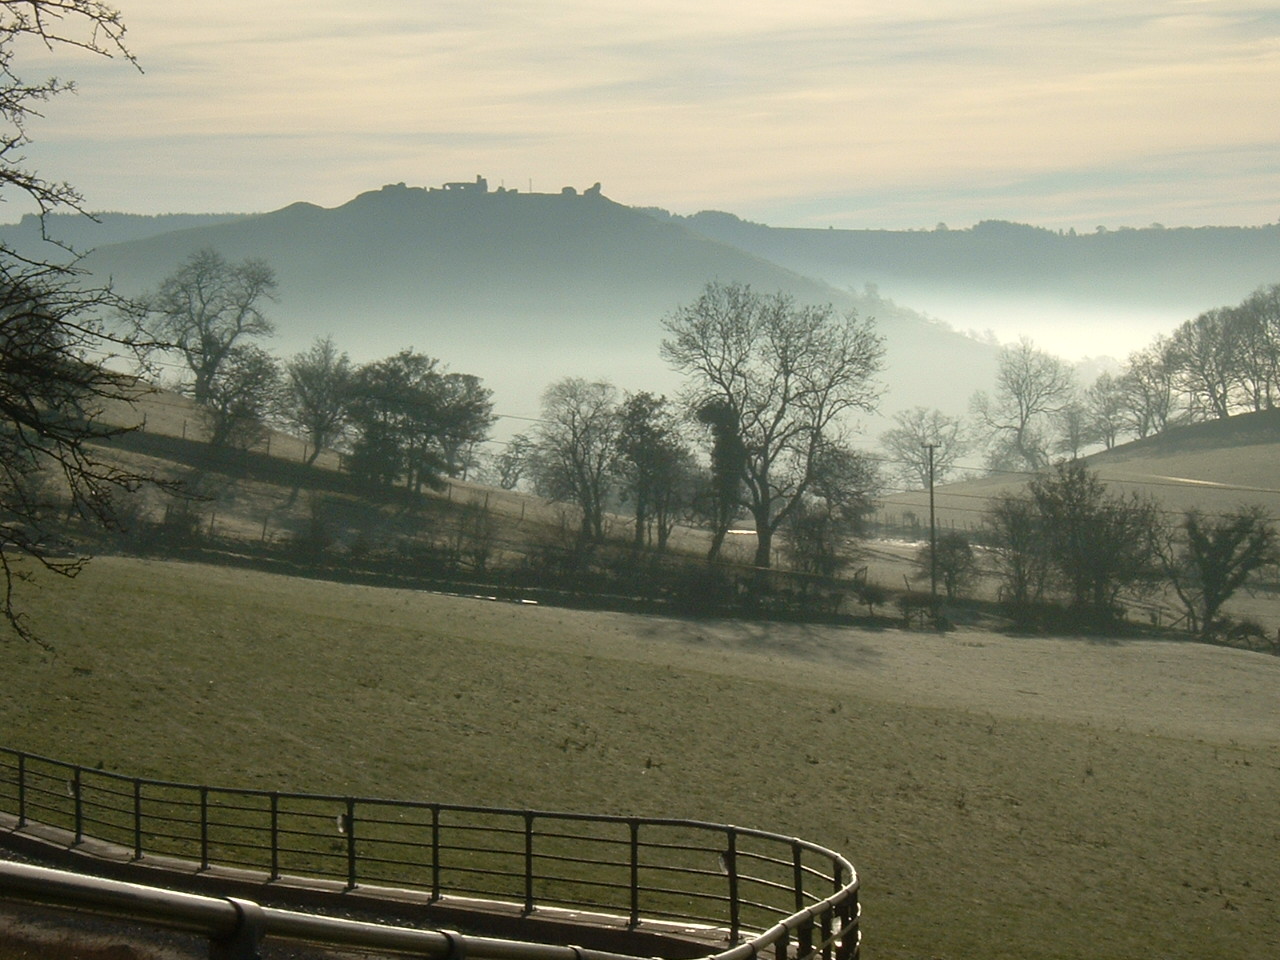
[{"x": 1003, "y": 797}]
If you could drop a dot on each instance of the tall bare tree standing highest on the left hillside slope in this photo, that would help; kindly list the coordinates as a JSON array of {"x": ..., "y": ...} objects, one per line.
[{"x": 205, "y": 309}]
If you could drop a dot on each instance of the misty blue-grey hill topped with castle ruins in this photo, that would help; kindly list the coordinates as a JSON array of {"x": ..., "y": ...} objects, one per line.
[{"x": 522, "y": 289}]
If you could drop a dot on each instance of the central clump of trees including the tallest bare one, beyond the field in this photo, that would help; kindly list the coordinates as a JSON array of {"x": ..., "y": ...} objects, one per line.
[{"x": 760, "y": 431}]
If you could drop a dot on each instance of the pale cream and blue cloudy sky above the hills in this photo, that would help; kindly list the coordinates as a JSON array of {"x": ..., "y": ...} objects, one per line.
[{"x": 874, "y": 113}]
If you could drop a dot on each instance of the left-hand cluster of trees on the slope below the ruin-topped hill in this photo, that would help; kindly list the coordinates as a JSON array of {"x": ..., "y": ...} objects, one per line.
[{"x": 401, "y": 420}]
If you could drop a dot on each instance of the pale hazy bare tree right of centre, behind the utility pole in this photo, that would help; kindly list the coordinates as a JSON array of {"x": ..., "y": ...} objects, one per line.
[{"x": 1031, "y": 387}]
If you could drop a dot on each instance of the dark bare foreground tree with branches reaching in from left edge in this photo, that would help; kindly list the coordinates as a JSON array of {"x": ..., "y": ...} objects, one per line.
[{"x": 57, "y": 346}]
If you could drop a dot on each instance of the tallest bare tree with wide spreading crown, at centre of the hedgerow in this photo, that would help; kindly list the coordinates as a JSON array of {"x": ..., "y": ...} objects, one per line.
[{"x": 787, "y": 374}]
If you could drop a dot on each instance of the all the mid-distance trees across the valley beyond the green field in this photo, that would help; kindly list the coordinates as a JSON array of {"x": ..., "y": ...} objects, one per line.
[{"x": 758, "y": 435}]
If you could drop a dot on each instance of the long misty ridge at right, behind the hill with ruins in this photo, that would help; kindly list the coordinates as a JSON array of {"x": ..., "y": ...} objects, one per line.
[{"x": 1099, "y": 294}]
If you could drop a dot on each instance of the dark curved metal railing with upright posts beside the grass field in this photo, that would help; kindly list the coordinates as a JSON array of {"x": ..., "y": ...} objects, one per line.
[{"x": 761, "y": 889}]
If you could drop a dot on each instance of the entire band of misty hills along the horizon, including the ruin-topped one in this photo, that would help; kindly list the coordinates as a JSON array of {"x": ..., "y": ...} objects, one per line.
[{"x": 523, "y": 289}]
